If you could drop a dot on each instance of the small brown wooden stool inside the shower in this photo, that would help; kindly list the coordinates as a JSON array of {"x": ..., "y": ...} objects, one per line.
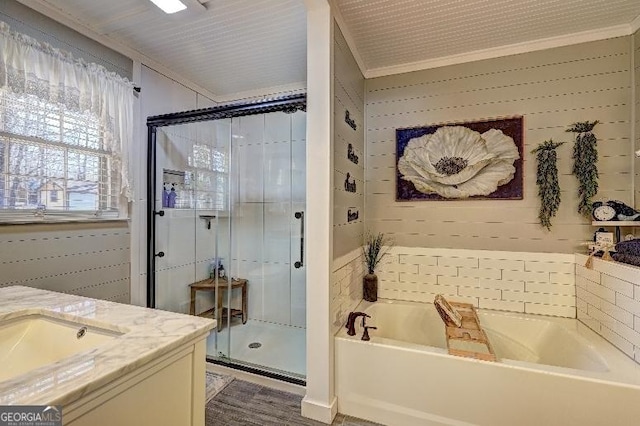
[{"x": 209, "y": 285}]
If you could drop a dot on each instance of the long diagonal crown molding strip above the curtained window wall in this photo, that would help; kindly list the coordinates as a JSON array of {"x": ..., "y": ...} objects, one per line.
[{"x": 51, "y": 12}]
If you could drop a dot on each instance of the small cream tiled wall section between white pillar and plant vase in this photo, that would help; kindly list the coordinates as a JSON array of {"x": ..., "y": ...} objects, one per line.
[{"x": 346, "y": 287}]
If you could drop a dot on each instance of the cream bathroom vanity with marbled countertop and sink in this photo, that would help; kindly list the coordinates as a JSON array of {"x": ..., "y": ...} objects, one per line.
[{"x": 105, "y": 363}]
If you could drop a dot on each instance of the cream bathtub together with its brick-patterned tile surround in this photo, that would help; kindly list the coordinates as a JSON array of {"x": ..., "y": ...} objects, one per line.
[{"x": 606, "y": 305}]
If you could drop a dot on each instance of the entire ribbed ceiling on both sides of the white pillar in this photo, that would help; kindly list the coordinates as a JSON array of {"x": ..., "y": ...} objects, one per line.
[{"x": 238, "y": 46}]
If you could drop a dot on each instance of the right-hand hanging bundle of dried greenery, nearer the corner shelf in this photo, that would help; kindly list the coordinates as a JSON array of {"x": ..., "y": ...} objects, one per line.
[{"x": 585, "y": 159}]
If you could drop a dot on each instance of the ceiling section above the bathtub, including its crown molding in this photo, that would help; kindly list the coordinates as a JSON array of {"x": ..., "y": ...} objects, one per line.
[{"x": 390, "y": 34}]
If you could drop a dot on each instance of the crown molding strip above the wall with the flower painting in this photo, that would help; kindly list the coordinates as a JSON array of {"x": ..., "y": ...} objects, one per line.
[{"x": 511, "y": 49}]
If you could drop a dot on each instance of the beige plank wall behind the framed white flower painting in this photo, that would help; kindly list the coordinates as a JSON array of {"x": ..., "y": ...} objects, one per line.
[{"x": 552, "y": 89}]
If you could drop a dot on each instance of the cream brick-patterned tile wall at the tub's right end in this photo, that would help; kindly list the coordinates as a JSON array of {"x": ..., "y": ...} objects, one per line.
[{"x": 608, "y": 302}]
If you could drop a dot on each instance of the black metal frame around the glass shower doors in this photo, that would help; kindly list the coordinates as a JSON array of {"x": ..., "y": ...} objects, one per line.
[{"x": 290, "y": 103}]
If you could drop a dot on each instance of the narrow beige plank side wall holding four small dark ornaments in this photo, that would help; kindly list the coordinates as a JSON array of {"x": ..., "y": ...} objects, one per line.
[{"x": 348, "y": 96}]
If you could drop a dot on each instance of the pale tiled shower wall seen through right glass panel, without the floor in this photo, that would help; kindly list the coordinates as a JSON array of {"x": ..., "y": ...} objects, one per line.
[{"x": 268, "y": 187}]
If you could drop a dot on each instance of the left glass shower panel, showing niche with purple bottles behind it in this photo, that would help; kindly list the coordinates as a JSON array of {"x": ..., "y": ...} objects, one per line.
[{"x": 192, "y": 232}]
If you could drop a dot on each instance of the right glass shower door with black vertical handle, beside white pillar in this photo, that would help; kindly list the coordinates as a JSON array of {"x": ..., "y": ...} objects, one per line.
[{"x": 268, "y": 200}]
